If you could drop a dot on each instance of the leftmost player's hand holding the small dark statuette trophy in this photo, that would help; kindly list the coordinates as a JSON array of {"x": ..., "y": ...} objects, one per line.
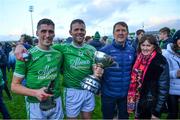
[{"x": 41, "y": 95}]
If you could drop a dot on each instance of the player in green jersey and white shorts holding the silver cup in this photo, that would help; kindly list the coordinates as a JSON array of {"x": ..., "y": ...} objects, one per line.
[{"x": 78, "y": 63}]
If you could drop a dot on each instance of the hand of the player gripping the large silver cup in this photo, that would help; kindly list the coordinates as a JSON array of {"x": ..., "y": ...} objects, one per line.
[{"x": 98, "y": 70}]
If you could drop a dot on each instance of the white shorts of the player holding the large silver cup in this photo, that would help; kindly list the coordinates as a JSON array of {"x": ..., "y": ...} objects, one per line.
[{"x": 78, "y": 100}]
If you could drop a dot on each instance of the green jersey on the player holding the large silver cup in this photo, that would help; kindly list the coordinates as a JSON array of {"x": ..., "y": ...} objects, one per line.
[{"x": 77, "y": 63}]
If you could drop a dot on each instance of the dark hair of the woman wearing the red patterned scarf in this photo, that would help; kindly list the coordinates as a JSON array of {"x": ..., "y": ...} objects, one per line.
[{"x": 152, "y": 40}]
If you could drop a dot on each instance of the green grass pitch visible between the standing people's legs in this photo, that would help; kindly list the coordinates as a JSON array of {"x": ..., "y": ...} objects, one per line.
[{"x": 17, "y": 109}]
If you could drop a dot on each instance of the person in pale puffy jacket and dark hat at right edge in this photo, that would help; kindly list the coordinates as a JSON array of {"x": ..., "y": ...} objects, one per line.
[{"x": 172, "y": 54}]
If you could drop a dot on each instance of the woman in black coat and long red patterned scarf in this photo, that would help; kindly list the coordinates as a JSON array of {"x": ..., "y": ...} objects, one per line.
[{"x": 149, "y": 84}]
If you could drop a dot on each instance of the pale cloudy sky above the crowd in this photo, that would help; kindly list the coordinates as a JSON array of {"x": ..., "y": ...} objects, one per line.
[{"x": 99, "y": 15}]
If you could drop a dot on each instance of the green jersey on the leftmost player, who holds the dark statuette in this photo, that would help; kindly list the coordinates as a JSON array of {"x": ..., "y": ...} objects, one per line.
[{"x": 43, "y": 67}]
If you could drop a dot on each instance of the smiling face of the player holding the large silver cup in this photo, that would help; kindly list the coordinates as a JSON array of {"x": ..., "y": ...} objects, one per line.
[{"x": 78, "y": 32}]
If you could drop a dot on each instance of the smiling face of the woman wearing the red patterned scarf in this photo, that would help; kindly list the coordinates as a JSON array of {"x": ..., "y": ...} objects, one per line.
[{"x": 146, "y": 48}]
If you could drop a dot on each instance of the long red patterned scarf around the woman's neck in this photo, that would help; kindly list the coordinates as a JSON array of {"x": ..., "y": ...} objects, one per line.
[{"x": 137, "y": 77}]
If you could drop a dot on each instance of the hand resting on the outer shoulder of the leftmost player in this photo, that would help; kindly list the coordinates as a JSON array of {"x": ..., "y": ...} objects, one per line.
[{"x": 20, "y": 49}]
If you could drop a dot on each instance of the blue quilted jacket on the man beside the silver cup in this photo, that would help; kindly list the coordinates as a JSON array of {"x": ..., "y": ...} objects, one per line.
[{"x": 116, "y": 79}]
